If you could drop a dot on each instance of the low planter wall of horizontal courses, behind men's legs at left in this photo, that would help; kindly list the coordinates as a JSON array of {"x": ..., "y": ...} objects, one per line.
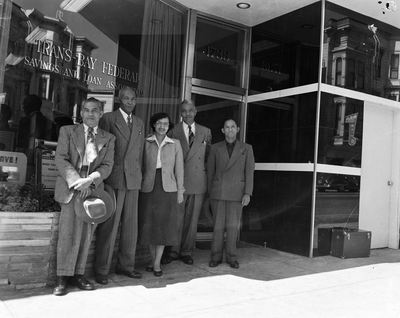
[{"x": 28, "y": 244}]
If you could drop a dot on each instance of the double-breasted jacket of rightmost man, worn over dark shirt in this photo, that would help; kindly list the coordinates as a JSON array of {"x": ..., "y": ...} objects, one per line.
[{"x": 230, "y": 178}]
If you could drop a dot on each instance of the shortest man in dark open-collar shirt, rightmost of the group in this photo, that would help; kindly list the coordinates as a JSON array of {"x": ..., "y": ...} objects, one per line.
[{"x": 230, "y": 170}]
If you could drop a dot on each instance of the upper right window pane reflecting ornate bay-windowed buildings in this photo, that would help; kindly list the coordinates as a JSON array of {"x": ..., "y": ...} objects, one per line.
[{"x": 359, "y": 53}]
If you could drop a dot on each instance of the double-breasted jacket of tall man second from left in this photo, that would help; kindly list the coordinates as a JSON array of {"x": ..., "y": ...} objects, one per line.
[{"x": 126, "y": 173}]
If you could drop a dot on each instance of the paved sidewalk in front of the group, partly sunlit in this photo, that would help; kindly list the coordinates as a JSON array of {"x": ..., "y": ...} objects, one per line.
[{"x": 268, "y": 283}]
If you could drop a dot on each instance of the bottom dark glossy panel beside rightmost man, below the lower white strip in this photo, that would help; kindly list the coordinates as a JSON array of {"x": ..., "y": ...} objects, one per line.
[{"x": 279, "y": 213}]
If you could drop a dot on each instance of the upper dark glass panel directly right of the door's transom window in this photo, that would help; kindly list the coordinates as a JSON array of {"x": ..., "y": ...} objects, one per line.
[{"x": 285, "y": 51}]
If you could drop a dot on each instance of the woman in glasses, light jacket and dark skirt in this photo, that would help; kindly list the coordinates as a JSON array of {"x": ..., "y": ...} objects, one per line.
[{"x": 162, "y": 190}]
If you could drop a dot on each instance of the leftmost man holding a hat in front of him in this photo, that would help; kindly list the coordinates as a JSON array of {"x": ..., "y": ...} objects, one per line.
[{"x": 84, "y": 158}]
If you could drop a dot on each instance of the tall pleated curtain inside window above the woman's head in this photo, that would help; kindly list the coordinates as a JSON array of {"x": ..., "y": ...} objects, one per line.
[{"x": 160, "y": 61}]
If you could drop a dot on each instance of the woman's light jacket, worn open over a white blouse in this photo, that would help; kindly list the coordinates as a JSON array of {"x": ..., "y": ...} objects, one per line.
[{"x": 171, "y": 166}]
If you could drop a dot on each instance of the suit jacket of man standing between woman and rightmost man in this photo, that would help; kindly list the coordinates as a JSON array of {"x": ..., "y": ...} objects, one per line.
[{"x": 195, "y": 158}]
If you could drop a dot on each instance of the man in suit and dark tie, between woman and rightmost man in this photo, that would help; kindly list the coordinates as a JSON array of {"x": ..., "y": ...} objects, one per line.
[{"x": 194, "y": 155}]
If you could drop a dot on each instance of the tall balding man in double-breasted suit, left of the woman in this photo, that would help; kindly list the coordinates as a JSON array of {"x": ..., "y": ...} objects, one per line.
[{"x": 125, "y": 179}]
